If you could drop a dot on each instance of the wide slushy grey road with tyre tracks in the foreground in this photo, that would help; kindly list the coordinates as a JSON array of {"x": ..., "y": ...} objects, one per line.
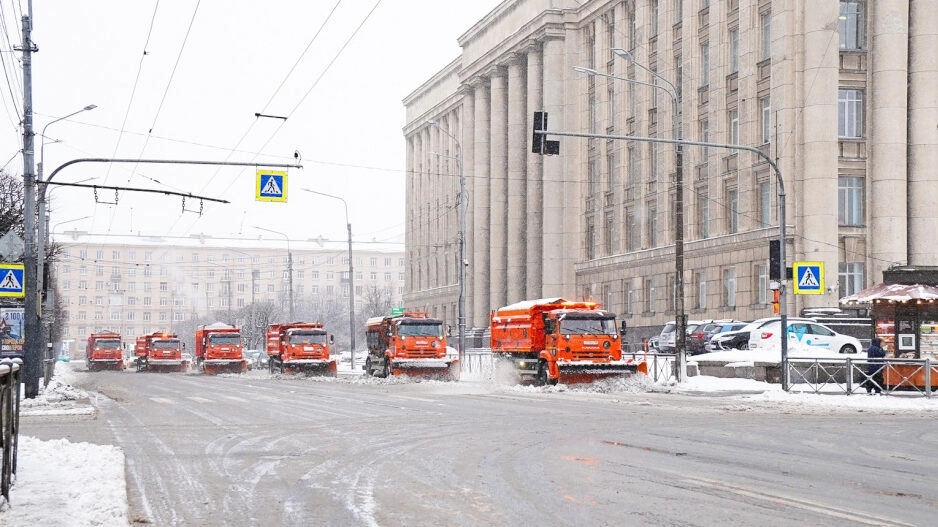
[{"x": 256, "y": 450}]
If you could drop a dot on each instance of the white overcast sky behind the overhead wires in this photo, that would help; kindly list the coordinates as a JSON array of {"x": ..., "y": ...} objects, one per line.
[{"x": 183, "y": 79}]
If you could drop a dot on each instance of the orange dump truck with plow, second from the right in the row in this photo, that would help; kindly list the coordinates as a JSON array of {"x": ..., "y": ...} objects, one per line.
[{"x": 410, "y": 343}]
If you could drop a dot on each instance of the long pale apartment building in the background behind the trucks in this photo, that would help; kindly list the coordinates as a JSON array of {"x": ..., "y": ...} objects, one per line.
[{"x": 137, "y": 285}]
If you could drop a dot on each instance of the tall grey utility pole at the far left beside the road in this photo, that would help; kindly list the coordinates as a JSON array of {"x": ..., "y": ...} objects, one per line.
[{"x": 32, "y": 347}]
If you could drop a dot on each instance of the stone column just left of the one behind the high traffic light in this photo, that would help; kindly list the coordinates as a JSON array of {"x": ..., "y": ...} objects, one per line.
[{"x": 517, "y": 201}]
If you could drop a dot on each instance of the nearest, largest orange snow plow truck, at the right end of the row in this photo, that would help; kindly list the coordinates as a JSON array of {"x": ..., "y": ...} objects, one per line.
[{"x": 551, "y": 340}]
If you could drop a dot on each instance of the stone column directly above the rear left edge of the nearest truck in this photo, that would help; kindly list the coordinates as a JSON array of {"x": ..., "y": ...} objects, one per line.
[{"x": 498, "y": 178}]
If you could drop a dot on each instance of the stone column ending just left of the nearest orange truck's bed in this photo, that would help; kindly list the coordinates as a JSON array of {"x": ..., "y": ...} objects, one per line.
[{"x": 479, "y": 257}]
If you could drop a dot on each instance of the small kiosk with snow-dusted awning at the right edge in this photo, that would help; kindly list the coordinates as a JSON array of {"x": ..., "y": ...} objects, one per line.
[{"x": 904, "y": 311}]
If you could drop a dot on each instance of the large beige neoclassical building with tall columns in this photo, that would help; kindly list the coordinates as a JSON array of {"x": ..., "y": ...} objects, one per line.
[{"x": 840, "y": 95}]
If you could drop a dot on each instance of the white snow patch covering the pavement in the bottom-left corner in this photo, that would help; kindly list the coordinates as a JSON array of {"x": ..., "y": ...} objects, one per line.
[{"x": 63, "y": 483}]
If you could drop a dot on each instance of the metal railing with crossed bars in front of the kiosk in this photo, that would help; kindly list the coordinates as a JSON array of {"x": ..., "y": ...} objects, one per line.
[{"x": 850, "y": 375}]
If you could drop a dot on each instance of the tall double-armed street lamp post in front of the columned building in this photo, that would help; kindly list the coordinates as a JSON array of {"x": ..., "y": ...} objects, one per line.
[{"x": 680, "y": 321}]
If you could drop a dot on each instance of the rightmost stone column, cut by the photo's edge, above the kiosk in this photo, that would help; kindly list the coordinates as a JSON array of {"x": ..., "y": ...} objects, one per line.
[{"x": 923, "y": 135}]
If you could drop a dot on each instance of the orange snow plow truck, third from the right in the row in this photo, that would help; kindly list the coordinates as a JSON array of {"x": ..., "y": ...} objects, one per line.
[{"x": 300, "y": 347}]
